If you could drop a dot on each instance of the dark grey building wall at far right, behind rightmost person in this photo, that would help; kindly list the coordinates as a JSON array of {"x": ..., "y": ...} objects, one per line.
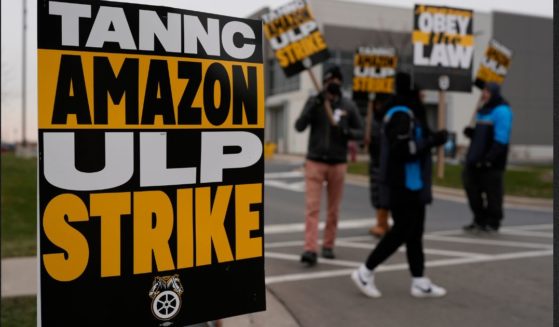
[{"x": 529, "y": 83}]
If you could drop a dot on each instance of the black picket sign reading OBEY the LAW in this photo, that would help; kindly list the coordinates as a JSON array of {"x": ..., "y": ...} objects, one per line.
[{"x": 443, "y": 48}]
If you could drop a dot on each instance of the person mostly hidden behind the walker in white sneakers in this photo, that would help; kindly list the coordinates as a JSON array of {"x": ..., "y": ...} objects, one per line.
[{"x": 372, "y": 141}]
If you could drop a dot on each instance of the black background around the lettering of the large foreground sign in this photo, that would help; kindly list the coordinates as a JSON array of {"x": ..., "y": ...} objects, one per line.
[{"x": 210, "y": 292}]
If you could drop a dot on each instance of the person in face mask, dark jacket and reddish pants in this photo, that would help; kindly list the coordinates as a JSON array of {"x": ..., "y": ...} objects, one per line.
[{"x": 333, "y": 120}]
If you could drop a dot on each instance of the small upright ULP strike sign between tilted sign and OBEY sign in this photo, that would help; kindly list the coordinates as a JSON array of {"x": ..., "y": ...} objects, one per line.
[{"x": 374, "y": 71}]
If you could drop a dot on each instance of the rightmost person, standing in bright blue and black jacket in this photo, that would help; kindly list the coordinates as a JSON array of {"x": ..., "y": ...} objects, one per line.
[{"x": 486, "y": 160}]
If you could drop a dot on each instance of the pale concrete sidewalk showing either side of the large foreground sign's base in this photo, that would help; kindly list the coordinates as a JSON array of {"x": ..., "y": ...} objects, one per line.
[{"x": 19, "y": 278}]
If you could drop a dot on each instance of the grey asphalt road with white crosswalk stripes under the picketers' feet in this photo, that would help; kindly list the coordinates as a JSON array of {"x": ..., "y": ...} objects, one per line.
[{"x": 496, "y": 280}]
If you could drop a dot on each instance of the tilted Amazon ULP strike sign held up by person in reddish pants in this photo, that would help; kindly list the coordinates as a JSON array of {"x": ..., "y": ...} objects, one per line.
[{"x": 294, "y": 37}]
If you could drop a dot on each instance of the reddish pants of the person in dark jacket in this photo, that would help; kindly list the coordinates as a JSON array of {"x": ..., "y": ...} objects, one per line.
[{"x": 316, "y": 173}]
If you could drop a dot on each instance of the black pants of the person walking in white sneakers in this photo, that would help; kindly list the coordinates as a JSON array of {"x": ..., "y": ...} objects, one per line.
[{"x": 408, "y": 213}]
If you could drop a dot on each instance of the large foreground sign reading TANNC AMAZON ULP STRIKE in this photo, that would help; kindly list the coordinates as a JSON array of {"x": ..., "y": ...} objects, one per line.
[{"x": 150, "y": 165}]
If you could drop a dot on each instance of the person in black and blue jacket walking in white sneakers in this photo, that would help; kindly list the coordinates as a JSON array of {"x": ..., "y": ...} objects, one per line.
[{"x": 405, "y": 170}]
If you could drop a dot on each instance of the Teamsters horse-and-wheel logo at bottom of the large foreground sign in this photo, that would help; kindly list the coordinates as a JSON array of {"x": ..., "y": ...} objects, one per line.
[{"x": 166, "y": 294}]
